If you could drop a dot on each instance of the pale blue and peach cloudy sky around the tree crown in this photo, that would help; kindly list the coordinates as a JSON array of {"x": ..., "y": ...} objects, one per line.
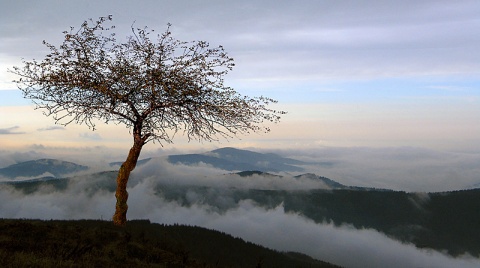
[{"x": 350, "y": 73}]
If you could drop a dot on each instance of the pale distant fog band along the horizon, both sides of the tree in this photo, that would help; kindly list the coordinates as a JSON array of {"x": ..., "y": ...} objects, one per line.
[{"x": 397, "y": 168}]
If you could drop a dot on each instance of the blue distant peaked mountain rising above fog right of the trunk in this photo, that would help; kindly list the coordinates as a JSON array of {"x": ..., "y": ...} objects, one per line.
[{"x": 232, "y": 159}]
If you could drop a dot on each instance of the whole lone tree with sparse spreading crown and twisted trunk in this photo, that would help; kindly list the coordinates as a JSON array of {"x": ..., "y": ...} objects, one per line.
[{"x": 154, "y": 84}]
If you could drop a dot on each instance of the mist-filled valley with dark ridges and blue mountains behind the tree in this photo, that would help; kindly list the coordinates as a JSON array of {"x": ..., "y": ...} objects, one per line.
[{"x": 274, "y": 201}]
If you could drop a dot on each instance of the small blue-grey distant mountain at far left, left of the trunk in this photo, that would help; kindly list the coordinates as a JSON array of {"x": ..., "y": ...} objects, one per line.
[{"x": 35, "y": 168}]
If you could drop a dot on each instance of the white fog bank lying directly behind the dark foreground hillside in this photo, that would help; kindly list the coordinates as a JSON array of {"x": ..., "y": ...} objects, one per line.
[{"x": 273, "y": 228}]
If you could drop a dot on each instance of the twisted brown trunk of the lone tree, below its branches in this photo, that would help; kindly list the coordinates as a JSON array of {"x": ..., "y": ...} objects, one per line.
[{"x": 121, "y": 207}]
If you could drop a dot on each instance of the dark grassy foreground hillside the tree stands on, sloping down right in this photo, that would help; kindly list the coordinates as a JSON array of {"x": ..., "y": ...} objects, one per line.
[{"x": 90, "y": 243}]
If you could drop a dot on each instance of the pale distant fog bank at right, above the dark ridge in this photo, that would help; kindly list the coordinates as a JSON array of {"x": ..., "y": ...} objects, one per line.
[{"x": 398, "y": 168}]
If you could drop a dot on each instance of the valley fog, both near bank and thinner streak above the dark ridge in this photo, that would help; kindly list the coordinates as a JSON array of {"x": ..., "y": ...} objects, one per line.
[{"x": 272, "y": 227}]
